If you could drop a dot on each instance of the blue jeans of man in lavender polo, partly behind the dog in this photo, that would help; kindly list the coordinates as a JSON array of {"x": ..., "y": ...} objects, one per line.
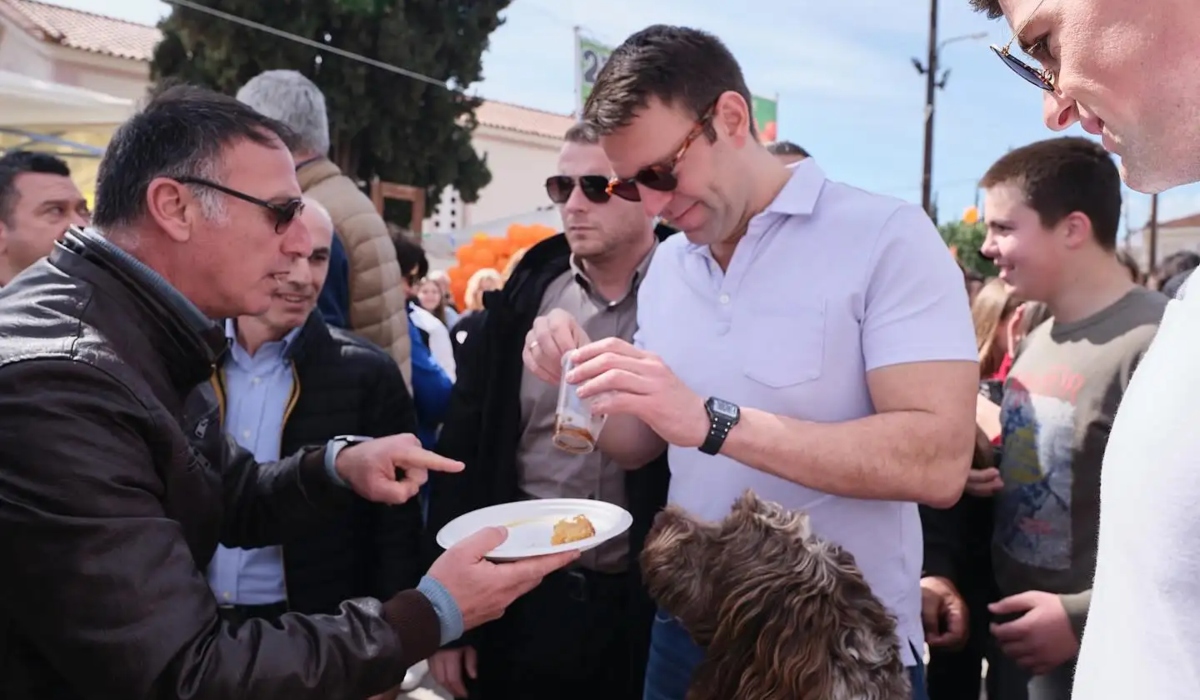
[{"x": 674, "y": 657}]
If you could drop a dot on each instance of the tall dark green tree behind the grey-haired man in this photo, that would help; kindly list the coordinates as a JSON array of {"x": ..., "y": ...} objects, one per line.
[{"x": 382, "y": 124}]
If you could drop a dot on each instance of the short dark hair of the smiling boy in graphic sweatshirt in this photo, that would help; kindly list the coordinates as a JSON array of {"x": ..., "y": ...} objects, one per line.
[{"x": 1063, "y": 176}]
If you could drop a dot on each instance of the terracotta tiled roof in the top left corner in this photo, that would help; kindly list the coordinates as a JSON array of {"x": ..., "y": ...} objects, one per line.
[{"x": 89, "y": 32}]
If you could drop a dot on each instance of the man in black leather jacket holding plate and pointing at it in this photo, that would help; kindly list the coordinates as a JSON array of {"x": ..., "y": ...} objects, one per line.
[{"x": 116, "y": 488}]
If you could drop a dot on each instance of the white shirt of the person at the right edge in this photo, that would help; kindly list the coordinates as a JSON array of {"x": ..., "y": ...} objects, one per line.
[{"x": 1143, "y": 633}]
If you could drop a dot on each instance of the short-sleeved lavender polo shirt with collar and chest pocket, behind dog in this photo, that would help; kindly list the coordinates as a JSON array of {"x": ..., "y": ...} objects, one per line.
[{"x": 829, "y": 284}]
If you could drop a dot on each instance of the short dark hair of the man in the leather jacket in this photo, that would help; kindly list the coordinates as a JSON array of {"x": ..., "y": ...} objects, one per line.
[{"x": 183, "y": 131}]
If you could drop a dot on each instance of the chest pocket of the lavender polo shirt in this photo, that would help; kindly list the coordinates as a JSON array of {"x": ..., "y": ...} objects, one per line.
[{"x": 785, "y": 348}]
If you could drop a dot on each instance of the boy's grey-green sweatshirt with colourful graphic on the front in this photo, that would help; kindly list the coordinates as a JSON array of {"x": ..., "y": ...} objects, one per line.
[{"x": 1060, "y": 400}]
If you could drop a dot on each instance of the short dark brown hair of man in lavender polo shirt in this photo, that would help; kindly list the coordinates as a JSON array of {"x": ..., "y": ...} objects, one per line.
[{"x": 677, "y": 65}]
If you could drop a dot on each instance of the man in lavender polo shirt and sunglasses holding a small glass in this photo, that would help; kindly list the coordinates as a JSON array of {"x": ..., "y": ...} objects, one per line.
[{"x": 807, "y": 340}]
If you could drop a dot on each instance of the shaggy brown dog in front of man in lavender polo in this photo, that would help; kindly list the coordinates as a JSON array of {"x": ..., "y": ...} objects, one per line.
[{"x": 783, "y": 614}]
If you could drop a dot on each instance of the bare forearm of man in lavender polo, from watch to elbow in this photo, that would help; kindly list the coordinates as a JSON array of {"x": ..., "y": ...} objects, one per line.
[{"x": 902, "y": 456}]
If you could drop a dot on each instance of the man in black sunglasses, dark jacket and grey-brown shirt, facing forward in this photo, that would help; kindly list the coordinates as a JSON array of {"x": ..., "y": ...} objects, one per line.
[{"x": 584, "y": 633}]
